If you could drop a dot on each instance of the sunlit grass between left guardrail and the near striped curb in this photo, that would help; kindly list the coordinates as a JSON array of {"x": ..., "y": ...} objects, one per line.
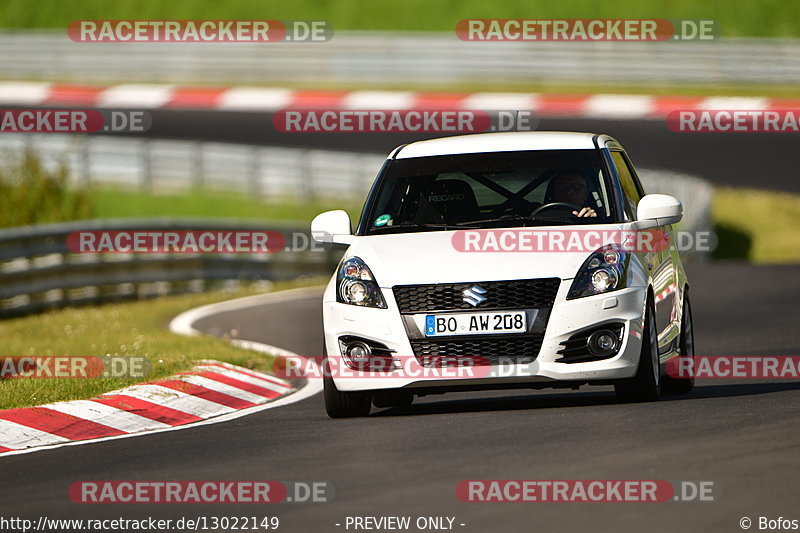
[{"x": 124, "y": 329}]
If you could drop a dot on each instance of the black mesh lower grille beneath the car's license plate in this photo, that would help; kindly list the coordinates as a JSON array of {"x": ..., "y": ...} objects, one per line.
[{"x": 477, "y": 352}]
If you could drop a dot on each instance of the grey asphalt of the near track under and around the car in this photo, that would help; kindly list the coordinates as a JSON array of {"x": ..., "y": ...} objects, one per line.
[{"x": 742, "y": 435}]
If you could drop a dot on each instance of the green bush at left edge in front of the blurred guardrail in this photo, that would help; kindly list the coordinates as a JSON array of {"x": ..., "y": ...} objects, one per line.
[{"x": 30, "y": 194}]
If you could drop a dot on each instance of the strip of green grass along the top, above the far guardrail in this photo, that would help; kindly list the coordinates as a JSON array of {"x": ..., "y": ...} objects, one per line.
[{"x": 763, "y": 18}]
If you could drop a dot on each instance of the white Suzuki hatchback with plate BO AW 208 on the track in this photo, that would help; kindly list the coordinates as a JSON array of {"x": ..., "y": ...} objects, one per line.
[{"x": 445, "y": 272}]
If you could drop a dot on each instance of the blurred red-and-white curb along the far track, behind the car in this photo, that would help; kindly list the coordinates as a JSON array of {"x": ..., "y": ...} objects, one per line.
[{"x": 143, "y": 96}]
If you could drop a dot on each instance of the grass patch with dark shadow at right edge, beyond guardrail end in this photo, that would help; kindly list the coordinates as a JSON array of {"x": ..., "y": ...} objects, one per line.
[{"x": 756, "y": 225}]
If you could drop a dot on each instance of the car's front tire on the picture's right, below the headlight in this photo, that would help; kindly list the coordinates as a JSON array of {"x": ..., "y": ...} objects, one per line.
[{"x": 645, "y": 386}]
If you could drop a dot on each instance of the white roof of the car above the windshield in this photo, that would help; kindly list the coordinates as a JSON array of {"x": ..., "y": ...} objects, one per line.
[{"x": 498, "y": 142}]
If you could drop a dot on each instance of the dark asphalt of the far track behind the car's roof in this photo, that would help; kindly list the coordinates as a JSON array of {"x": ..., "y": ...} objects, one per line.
[{"x": 756, "y": 160}]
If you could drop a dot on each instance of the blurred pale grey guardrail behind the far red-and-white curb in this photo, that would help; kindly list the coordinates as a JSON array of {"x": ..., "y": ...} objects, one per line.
[{"x": 391, "y": 58}]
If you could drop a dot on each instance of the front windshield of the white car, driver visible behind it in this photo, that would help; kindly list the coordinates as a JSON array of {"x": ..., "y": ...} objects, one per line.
[{"x": 490, "y": 190}]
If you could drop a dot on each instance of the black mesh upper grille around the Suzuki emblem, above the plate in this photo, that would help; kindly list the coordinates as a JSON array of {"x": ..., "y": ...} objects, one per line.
[{"x": 512, "y": 294}]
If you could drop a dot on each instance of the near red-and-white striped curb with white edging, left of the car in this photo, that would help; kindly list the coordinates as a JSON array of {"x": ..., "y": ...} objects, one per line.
[{"x": 211, "y": 392}]
